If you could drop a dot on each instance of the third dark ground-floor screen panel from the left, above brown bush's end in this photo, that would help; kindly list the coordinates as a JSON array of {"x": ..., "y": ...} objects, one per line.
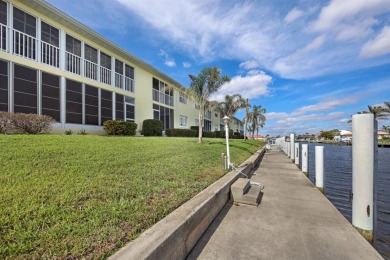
[{"x": 51, "y": 96}]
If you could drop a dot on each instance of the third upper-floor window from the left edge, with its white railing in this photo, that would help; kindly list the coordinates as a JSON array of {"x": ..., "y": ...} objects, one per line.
[{"x": 49, "y": 46}]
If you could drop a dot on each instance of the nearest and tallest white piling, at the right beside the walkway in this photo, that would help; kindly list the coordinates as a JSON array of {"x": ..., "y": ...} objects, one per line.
[{"x": 363, "y": 165}]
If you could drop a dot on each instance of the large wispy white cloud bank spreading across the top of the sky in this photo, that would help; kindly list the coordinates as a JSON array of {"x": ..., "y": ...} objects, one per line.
[{"x": 328, "y": 37}]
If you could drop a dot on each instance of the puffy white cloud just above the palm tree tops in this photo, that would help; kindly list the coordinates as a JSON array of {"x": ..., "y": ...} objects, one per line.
[{"x": 252, "y": 86}]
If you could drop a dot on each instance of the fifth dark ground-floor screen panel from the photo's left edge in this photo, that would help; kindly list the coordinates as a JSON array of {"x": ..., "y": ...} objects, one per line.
[{"x": 91, "y": 105}]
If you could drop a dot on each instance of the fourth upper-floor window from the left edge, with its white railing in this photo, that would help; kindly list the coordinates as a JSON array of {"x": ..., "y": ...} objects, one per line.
[{"x": 73, "y": 55}]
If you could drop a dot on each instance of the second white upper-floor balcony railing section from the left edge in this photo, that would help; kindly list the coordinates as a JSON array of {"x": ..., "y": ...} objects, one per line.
[{"x": 24, "y": 45}]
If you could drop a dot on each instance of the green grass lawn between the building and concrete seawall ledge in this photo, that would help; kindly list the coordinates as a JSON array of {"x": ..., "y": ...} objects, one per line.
[{"x": 87, "y": 196}]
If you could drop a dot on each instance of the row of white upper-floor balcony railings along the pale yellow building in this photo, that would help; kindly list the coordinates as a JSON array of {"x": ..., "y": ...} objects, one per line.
[{"x": 29, "y": 47}]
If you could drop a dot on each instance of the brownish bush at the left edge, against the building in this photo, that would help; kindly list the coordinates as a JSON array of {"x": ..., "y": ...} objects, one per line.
[{"x": 20, "y": 123}]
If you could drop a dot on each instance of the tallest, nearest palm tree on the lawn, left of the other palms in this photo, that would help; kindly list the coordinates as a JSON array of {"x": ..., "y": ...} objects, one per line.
[{"x": 206, "y": 83}]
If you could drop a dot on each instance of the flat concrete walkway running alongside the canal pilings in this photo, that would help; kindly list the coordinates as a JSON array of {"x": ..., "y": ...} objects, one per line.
[{"x": 293, "y": 221}]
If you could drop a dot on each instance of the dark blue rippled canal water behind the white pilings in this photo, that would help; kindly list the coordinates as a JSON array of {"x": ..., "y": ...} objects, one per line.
[{"x": 338, "y": 187}]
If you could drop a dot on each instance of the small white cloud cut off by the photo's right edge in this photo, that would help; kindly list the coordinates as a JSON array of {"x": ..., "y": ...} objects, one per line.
[{"x": 380, "y": 45}]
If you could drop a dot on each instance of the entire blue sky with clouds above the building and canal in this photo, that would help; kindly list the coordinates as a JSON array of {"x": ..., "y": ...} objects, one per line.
[{"x": 311, "y": 63}]
